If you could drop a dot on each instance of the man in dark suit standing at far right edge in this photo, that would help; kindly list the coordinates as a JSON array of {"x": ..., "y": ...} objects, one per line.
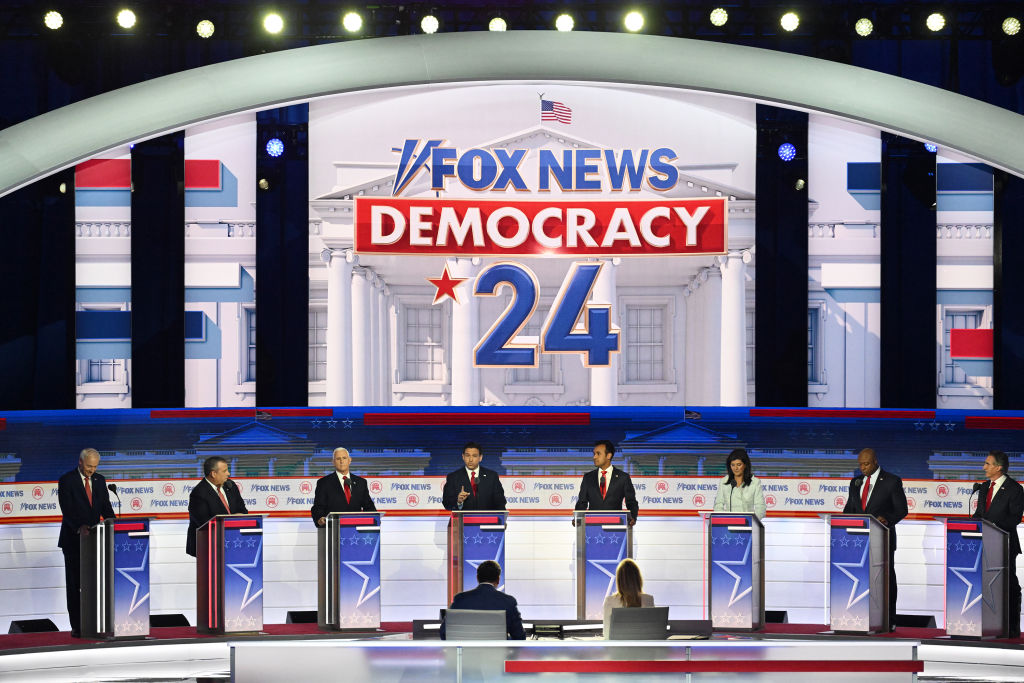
[{"x": 1001, "y": 501}]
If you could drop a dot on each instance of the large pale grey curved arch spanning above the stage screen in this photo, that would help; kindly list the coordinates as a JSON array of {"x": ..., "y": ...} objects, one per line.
[{"x": 58, "y": 140}]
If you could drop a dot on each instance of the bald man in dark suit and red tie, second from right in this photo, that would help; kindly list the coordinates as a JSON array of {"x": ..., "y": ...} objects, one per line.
[{"x": 878, "y": 493}]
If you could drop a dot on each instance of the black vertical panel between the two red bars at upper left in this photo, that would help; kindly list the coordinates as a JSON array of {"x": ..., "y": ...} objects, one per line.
[{"x": 158, "y": 275}]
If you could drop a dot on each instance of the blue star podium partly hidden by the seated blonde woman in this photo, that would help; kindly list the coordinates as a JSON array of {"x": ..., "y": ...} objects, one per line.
[{"x": 604, "y": 540}]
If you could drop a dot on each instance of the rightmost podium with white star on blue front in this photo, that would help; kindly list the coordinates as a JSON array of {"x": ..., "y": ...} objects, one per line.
[{"x": 977, "y": 583}]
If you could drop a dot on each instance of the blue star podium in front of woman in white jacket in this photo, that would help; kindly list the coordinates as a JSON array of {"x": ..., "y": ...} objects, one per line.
[{"x": 736, "y": 572}]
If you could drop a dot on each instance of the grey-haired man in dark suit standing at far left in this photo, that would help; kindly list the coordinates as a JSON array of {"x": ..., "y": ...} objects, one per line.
[{"x": 84, "y": 503}]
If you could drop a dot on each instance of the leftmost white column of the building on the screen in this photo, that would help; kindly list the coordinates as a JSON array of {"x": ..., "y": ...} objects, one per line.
[{"x": 339, "y": 325}]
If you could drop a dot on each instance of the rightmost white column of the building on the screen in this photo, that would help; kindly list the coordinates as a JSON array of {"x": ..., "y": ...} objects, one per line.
[{"x": 733, "y": 363}]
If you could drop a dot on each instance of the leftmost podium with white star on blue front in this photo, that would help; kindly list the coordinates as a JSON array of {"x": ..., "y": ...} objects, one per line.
[{"x": 115, "y": 580}]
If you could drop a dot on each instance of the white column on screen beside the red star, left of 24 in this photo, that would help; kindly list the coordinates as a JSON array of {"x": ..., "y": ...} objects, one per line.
[{"x": 465, "y": 391}]
